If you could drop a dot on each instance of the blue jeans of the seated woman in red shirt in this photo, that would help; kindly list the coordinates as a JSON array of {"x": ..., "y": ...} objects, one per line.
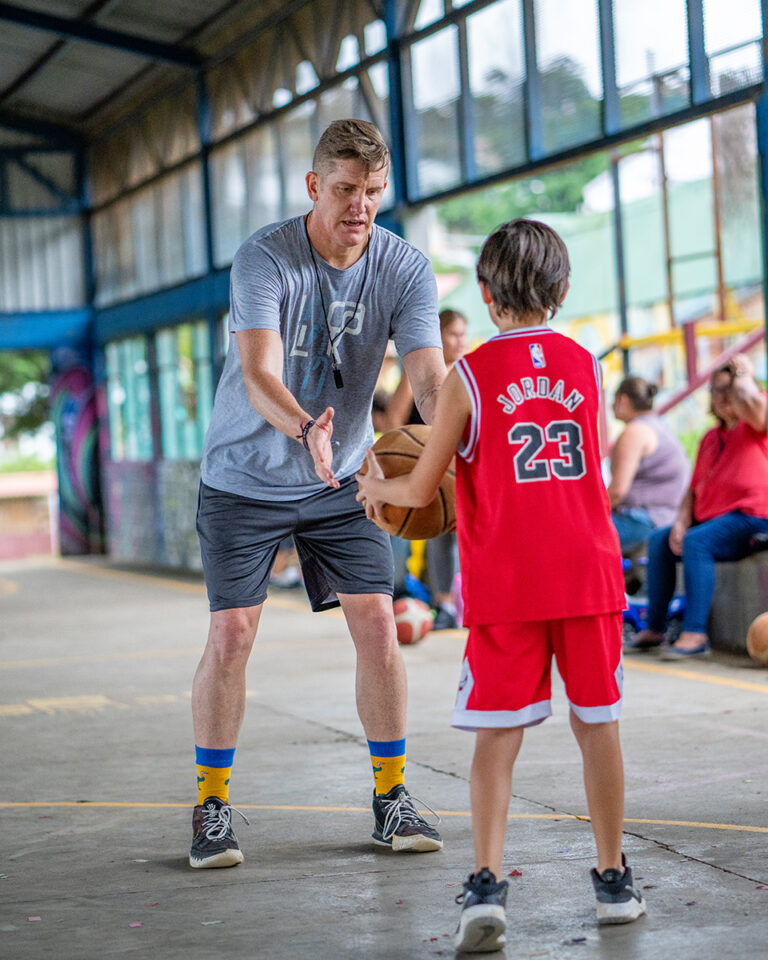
[{"x": 726, "y": 537}]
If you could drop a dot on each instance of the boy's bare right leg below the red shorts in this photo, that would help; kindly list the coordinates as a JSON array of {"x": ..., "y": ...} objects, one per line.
[{"x": 604, "y": 784}]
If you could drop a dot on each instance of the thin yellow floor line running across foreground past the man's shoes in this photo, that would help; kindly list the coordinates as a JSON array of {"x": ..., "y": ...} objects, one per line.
[{"x": 300, "y": 808}]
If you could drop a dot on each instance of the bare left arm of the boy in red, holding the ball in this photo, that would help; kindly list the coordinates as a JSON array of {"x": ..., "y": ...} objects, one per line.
[{"x": 416, "y": 489}]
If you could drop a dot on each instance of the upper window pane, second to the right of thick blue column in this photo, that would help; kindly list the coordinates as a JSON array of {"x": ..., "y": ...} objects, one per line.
[{"x": 496, "y": 77}]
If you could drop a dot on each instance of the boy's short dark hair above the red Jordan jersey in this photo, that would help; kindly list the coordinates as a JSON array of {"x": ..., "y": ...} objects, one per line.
[{"x": 525, "y": 266}]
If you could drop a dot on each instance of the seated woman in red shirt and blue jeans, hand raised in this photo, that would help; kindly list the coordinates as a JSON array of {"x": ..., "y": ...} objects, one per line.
[{"x": 725, "y": 506}]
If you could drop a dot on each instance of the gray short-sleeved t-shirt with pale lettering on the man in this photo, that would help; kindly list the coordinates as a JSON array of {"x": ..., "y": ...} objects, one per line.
[{"x": 273, "y": 286}]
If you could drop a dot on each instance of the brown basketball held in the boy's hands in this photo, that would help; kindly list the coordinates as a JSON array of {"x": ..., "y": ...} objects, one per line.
[{"x": 397, "y": 452}]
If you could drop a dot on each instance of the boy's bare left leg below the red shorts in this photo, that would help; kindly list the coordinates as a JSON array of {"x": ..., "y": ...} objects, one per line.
[{"x": 490, "y": 786}]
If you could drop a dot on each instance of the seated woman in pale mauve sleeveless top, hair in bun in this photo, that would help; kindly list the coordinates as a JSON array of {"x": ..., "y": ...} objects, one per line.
[{"x": 649, "y": 467}]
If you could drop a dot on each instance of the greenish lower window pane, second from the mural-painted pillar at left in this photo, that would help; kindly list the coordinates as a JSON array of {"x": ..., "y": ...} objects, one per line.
[{"x": 186, "y": 390}]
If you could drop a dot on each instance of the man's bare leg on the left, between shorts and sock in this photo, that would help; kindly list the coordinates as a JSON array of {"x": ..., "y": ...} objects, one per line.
[{"x": 218, "y": 690}]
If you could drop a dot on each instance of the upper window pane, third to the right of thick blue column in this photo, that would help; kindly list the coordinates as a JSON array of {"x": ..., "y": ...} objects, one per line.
[{"x": 568, "y": 58}]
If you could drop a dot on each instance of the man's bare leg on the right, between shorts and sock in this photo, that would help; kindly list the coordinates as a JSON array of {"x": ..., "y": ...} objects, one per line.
[{"x": 381, "y": 686}]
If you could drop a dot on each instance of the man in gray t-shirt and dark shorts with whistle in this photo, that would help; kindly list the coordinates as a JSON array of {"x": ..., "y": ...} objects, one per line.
[{"x": 314, "y": 301}]
